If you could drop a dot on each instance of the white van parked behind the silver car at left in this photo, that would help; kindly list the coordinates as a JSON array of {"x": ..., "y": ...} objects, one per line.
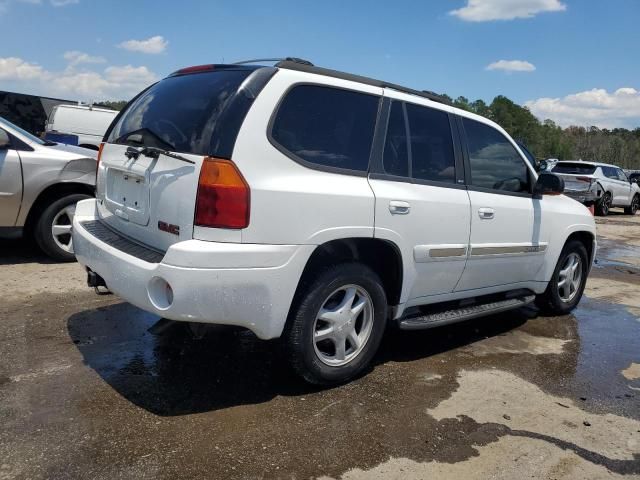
[{"x": 82, "y": 125}]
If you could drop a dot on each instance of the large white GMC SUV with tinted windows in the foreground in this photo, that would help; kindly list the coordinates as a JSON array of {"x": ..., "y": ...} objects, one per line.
[{"x": 318, "y": 207}]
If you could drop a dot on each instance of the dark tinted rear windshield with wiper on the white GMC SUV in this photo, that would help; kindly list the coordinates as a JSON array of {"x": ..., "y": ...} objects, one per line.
[{"x": 180, "y": 113}]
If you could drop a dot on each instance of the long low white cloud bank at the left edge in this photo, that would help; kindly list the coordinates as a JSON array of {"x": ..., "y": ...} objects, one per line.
[{"x": 114, "y": 82}]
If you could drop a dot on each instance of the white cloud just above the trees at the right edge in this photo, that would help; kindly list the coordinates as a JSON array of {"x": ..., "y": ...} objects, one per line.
[{"x": 597, "y": 107}]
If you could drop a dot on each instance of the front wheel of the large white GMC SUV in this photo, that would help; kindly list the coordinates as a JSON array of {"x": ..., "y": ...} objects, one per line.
[{"x": 554, "y": 300}]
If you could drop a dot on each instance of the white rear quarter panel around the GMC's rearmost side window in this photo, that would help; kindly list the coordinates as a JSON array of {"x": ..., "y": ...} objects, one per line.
[{"x": 291, "y": 203}]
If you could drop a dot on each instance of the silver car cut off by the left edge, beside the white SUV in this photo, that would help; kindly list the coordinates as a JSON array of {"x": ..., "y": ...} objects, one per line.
[{"x": 40, "y": 183}]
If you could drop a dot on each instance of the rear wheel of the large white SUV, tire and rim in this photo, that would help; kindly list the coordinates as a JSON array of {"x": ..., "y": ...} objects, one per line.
[{"x": 319, "y": 361}]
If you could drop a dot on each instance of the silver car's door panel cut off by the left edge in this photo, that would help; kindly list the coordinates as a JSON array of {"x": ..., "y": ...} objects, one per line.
[{"x": 10, "y": 186}]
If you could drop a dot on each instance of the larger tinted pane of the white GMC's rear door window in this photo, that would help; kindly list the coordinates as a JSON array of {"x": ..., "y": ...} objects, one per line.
[{"x": 432, "y": 155}]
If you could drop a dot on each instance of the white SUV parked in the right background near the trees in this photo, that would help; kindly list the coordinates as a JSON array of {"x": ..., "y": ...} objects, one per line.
[{"x": 599, "y": 184}]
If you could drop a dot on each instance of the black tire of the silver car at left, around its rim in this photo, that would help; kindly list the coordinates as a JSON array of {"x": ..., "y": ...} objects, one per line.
[{"x": 59, "y": 247}]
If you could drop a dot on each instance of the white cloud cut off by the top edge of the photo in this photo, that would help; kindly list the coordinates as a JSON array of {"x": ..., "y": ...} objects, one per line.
[{"x": 487, "y": 10}]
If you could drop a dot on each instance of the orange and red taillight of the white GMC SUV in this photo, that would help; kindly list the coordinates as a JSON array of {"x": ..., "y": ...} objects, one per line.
[{"x": 223, "y": 199}]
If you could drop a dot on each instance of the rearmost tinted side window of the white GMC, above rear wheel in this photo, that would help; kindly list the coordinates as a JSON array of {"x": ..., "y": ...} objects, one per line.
[{"x": 327, "y": 126}]
